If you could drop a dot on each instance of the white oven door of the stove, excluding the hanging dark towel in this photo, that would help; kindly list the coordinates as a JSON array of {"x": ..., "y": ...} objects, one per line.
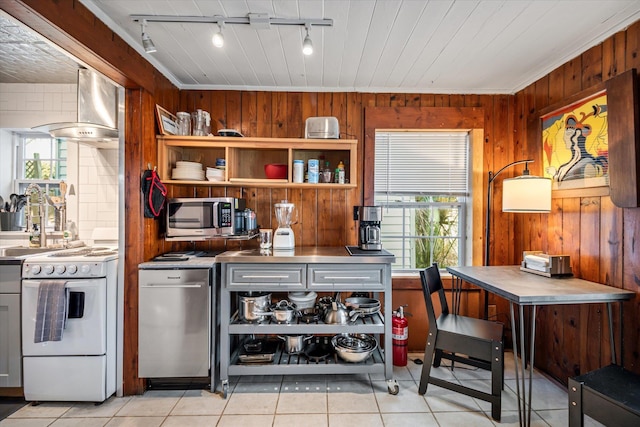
[{"x": 85, "y": 332}]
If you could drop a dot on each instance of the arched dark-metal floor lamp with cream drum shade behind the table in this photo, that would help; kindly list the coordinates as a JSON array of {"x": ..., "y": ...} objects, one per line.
[{"x": 524, "y": 194}]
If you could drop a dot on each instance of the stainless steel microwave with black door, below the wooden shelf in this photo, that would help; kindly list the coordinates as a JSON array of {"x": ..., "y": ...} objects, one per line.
[{"x": 202, "y": 218}]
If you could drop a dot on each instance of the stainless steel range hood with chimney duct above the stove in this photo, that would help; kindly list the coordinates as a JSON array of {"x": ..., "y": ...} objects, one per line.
[{"x": 97, "y": 114}]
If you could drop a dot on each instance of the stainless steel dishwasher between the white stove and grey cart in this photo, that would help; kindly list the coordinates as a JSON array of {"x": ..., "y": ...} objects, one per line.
[{"x": 174, "y": 321}]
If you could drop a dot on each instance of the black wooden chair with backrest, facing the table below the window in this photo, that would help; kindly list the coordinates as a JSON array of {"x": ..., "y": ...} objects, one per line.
[{"x": 467, "y": 340}]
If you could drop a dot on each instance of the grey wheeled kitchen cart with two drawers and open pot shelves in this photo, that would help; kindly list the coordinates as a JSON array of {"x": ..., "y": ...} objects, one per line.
[{"x": 318, "y": 269}]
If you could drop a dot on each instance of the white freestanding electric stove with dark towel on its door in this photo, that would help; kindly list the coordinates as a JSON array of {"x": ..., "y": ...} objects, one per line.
[{"x": 82, "y": 365}]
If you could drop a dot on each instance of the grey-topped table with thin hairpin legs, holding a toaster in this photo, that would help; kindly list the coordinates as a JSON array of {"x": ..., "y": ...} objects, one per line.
[{"x": 527, "y": 289}]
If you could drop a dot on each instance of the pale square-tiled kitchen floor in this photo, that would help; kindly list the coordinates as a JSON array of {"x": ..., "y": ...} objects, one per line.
[{"x": 310, "y": 401}]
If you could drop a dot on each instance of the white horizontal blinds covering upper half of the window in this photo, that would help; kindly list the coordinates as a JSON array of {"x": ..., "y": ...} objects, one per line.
[{"x": 430, "y": 163}]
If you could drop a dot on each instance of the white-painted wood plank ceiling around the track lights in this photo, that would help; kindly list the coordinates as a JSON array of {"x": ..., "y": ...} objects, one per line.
[{"x": 413, "y": 46}]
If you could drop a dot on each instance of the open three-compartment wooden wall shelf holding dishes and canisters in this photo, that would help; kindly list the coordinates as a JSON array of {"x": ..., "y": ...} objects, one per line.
[{"x": 245, "y": 158}]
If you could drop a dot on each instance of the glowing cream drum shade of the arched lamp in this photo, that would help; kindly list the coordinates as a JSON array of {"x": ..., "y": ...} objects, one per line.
[{"x": 526, "y": 194}]
